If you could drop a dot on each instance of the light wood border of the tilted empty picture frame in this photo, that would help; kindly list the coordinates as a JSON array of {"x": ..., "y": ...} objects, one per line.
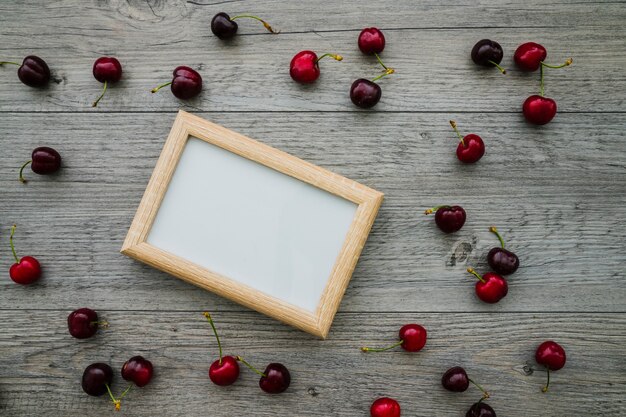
[{"x": 368, "y": 200}]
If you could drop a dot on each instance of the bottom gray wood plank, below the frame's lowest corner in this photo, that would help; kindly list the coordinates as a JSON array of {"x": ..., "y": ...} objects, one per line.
[{"x": 41, "y": 364}]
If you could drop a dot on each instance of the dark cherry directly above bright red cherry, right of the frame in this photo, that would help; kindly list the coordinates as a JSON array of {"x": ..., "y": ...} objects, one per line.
[{"x": 492, "y": 286}]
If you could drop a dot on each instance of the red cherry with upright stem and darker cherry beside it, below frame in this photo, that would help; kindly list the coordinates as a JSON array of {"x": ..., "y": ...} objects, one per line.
[{"x": 225, "y": 370}]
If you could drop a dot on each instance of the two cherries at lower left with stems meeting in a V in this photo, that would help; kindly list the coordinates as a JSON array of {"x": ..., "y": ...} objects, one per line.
[{"x": 97, "y": 378}]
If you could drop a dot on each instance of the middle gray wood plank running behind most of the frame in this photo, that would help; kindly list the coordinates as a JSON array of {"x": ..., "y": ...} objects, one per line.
[{"x": 556, "y": 193}]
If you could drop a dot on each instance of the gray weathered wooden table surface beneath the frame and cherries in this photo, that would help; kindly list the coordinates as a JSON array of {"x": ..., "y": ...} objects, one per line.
[{"x": 556, "y": 192}]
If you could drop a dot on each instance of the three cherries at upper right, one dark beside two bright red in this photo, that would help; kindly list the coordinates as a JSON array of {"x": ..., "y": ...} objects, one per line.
[{"x": 529, "y": 57}]
